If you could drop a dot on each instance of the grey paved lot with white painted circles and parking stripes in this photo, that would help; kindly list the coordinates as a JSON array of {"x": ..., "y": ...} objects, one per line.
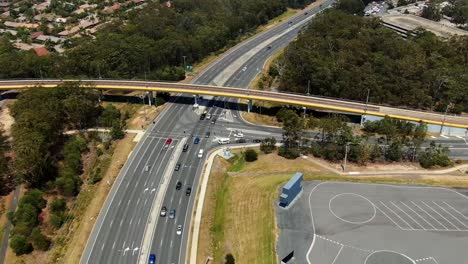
[{"x": 357, "y": 223}]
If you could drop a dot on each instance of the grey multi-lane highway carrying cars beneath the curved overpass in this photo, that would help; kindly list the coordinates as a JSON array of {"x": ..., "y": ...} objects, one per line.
[{"x": 119, "y": 232}]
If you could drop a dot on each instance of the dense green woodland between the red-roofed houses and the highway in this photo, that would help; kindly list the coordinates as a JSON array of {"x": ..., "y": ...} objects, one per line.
[{"x": 150, "y": 43}]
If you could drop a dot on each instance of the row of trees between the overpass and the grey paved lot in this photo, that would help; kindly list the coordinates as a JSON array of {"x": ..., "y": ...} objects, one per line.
[{"x": 384, "y": 140}]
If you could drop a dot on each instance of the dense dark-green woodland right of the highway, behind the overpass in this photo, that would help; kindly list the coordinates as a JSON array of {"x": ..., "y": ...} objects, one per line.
[{"x": 344, "y": 55}]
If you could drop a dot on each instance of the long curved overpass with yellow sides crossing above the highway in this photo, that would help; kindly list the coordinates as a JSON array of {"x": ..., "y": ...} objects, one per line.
[{"x": 279, "y": 97}]
